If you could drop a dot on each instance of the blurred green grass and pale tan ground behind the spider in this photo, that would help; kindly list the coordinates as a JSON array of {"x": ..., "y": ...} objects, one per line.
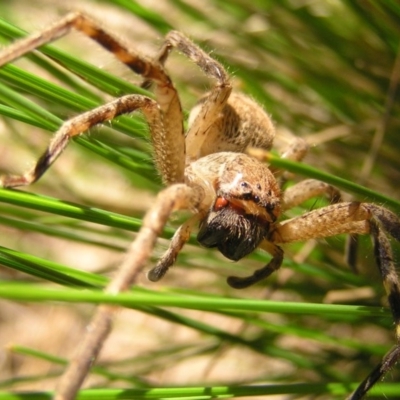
[{"x": 325, "y": 70}]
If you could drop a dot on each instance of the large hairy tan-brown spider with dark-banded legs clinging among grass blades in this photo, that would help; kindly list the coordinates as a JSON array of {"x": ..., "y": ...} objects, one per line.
[{"x": 235, "y": 199}]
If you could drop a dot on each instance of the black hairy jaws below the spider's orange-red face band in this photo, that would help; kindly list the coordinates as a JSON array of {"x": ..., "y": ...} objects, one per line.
[{"x": 235, "y": 235}]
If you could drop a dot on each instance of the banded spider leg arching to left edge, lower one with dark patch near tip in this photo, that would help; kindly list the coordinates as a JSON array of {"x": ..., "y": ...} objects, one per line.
[{"x": 82, "y": 123}]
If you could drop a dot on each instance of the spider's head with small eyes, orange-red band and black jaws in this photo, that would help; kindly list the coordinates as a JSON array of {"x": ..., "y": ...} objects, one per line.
[{"x": 247, "y": 203}]
